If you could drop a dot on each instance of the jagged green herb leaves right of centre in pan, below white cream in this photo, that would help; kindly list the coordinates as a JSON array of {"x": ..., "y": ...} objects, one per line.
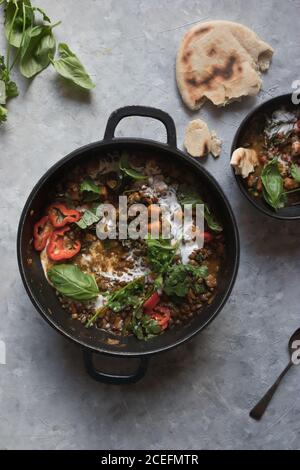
[{"x": 180, "y": 278}]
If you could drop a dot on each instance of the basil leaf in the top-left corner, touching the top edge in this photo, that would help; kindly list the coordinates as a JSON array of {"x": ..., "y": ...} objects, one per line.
[{"x": 14, "y": 21}]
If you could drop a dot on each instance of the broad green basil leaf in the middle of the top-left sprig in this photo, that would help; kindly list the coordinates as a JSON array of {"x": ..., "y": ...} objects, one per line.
[{"x": 37, "y": 50}]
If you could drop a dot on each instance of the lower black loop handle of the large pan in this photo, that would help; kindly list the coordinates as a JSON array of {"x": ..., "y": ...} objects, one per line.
[{"x": 115, "y": 379}]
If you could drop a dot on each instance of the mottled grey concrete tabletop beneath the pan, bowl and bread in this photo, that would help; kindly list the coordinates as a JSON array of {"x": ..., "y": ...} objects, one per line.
[{"x": 197, "y": 396}]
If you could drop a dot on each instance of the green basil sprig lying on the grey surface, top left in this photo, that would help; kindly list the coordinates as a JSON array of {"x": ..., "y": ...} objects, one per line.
[{"x": 28, "y": 30}]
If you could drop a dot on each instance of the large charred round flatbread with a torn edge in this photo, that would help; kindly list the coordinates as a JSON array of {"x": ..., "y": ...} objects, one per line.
[{"x": 220, "y": 61}]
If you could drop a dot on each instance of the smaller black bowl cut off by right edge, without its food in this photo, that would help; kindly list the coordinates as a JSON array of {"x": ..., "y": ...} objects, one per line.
[{"x": 274, "y": 104}]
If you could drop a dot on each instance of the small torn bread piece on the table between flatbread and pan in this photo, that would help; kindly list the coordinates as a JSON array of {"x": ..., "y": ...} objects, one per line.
[{"x": 199, "y": 141}]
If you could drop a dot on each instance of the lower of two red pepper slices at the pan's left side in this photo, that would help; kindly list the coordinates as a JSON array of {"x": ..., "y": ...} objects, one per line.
[{"x": 60, "y": 247}]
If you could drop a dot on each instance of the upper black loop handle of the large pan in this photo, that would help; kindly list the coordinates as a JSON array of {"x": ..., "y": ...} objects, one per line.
[{"x": 143, "y": 111}]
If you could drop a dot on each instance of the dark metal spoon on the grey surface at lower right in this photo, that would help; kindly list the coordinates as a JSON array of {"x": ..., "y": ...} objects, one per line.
[{"x": 259, "y": 409}]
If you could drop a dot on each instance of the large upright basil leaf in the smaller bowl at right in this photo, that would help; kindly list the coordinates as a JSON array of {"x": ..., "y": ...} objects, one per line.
[{"x": 273, "y": 185}]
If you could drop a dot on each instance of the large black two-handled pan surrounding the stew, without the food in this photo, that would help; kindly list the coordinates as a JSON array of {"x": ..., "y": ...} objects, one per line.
[{"x": 43, "y": 296}]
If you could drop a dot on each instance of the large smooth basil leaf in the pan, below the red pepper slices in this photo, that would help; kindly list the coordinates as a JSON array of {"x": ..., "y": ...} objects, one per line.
[{"x": 71, "y": 282}]
